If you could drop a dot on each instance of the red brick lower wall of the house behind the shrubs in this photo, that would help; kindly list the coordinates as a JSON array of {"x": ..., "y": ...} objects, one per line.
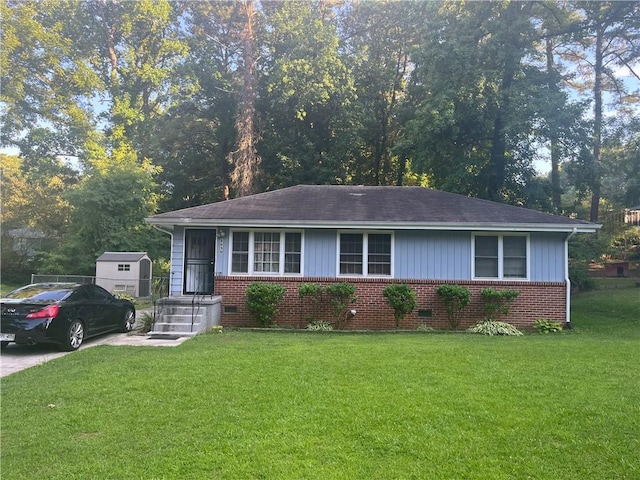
[{"x": 537, "y": 300}]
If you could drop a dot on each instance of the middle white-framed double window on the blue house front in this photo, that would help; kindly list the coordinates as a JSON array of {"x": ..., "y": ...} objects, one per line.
[{"x": 356, "y": 247}]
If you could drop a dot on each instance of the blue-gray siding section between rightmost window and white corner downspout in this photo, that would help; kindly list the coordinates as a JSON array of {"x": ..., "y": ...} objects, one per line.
[{"x": 547, "y": 257}]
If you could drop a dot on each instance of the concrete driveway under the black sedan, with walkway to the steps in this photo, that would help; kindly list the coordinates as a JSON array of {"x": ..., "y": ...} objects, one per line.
[{"x": 20, "y": 357}]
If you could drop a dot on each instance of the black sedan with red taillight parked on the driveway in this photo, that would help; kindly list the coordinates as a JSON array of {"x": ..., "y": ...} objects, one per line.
[{"x": 62, "y": 313}]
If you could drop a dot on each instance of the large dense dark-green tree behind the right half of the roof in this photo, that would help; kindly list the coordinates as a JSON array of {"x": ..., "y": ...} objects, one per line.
[{"x": 474, "y": 100}]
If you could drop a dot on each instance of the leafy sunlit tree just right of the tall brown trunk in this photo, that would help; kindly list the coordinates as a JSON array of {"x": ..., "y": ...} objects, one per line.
[{"x": 306, "y": 93}]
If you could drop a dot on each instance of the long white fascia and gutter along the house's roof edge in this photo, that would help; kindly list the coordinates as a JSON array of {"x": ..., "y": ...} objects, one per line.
[{"x": 475, "y": 226}]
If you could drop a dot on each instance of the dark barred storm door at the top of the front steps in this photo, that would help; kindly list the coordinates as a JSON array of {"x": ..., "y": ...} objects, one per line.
[{"x": 199, "y": 248}]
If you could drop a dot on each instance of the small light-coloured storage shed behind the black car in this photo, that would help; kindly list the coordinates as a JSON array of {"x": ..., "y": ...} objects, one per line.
[{"x": 124, "y": 272}]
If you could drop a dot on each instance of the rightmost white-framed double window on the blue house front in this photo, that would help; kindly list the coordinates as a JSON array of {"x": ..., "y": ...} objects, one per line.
[{"x": 500, "y": 256}]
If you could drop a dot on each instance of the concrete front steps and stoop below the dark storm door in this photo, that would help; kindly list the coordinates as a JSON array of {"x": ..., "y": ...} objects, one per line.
[{"x": 185, "y": 316}]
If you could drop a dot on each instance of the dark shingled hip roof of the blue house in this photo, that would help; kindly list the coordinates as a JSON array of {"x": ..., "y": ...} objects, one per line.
[{"x": 318, "y": 205}]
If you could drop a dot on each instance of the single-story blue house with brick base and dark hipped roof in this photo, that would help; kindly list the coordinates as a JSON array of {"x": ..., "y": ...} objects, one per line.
[{"x": 371, "y": 237}]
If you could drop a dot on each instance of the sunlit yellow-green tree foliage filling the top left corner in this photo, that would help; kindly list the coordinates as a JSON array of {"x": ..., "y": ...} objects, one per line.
[{"x": 46, "y": 82}]
